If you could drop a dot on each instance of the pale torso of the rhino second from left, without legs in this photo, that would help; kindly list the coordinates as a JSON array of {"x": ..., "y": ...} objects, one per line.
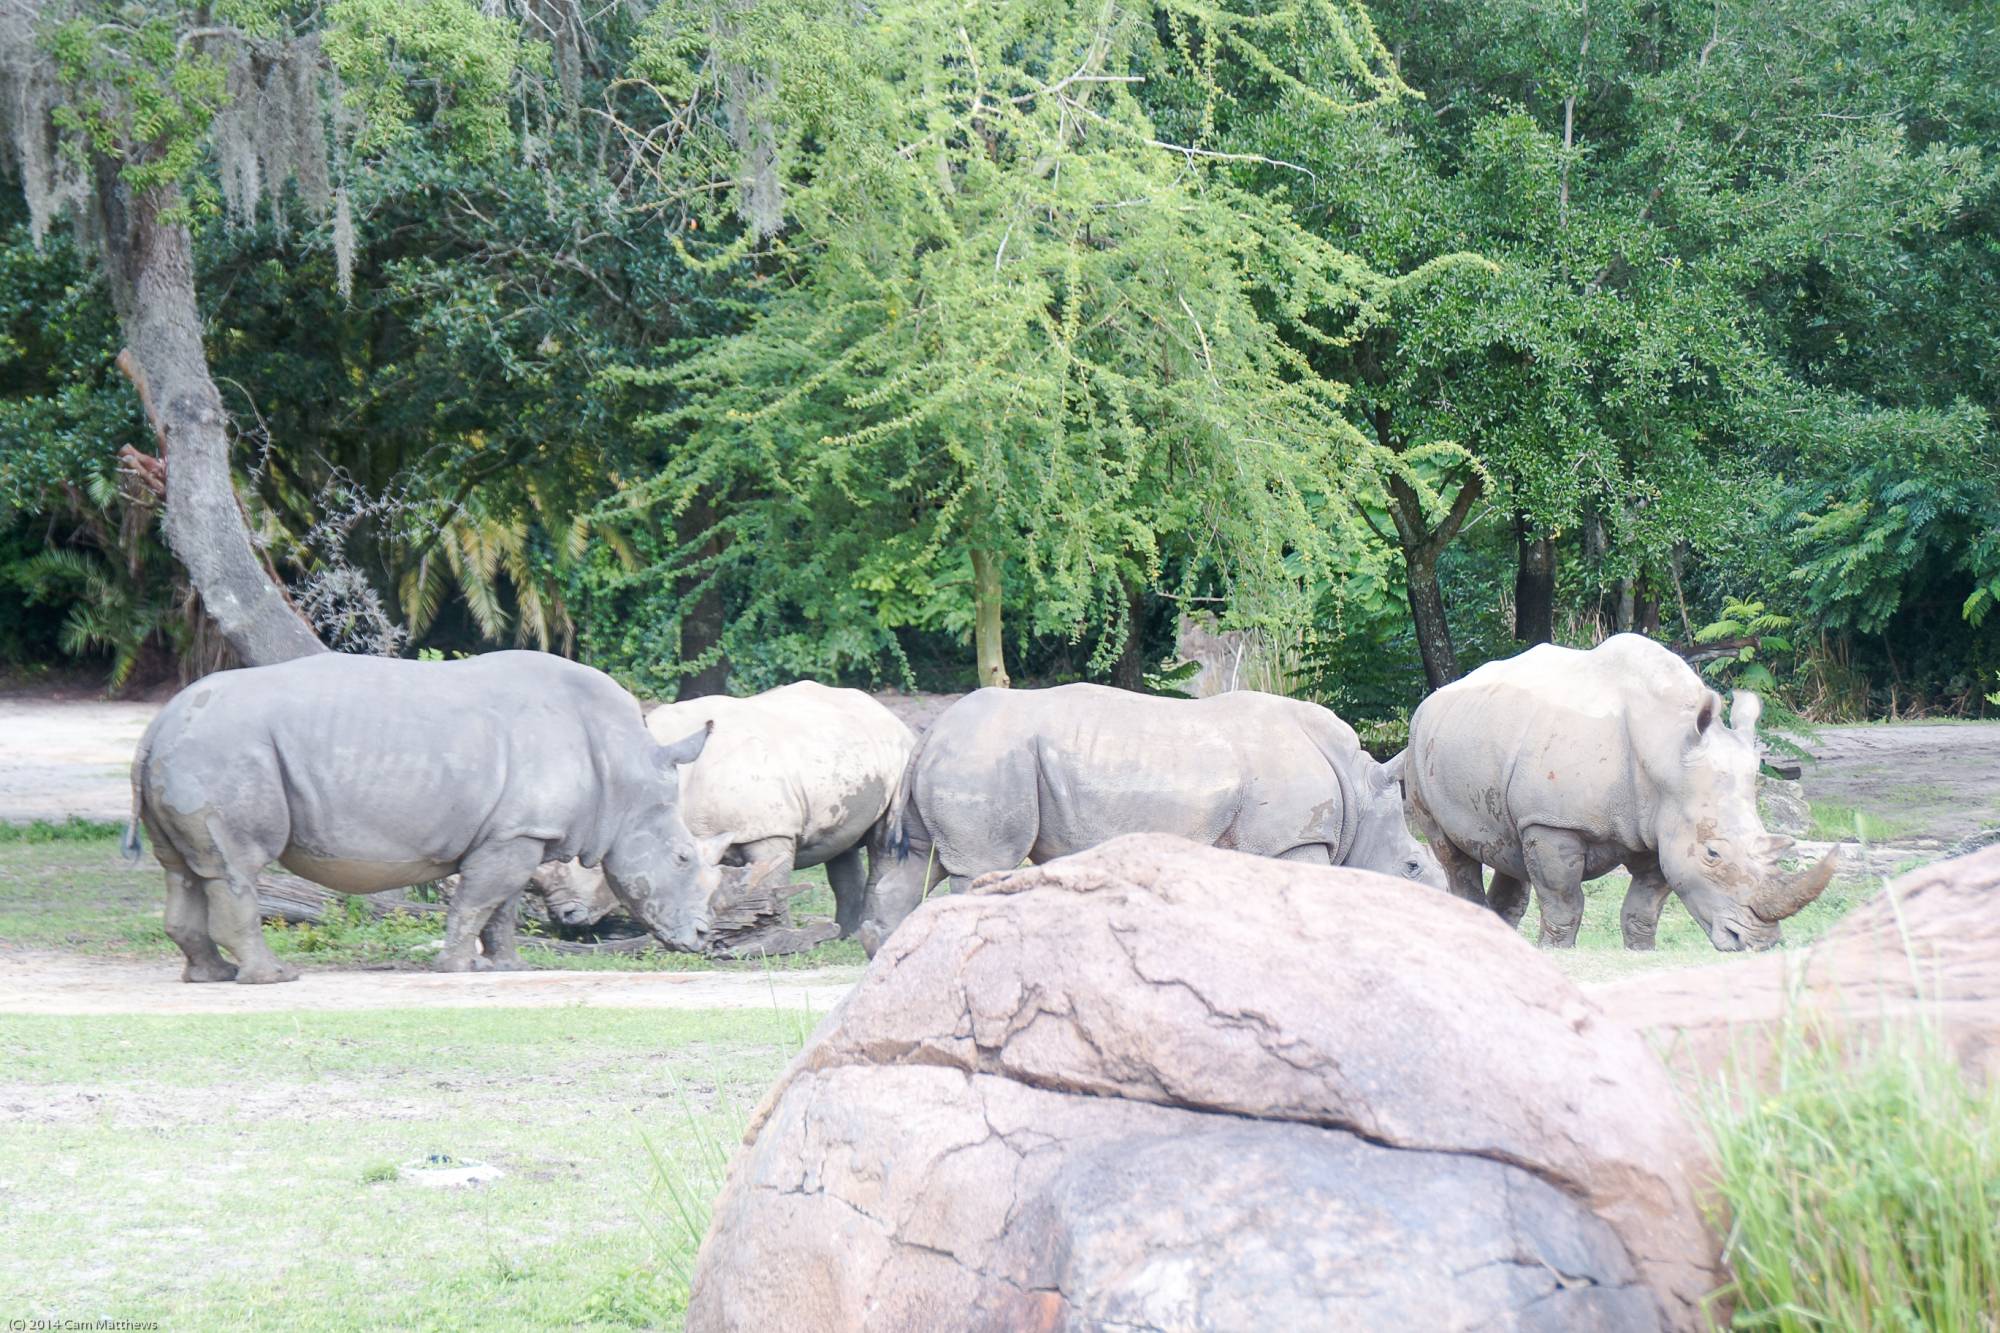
[{"x": 803, "y": 762}]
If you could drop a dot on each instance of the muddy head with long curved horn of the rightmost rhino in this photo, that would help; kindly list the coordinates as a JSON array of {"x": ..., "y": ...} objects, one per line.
[{"x": 1713, "y": 846}]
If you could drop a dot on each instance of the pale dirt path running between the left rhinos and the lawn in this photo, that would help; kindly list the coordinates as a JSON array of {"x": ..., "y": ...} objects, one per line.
[{"x": 47, "y": 982}]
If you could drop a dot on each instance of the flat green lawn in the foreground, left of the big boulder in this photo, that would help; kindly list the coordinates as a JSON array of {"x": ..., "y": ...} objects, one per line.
[{"x": 241, "y": 1172}]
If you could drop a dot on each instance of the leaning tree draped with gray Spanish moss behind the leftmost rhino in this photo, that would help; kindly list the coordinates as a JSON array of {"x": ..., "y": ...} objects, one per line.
[{"x": 111, "y": 109}]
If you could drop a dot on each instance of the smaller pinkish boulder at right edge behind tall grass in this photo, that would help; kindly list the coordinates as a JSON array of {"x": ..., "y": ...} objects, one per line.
[{"x": 1921, "y": 954}]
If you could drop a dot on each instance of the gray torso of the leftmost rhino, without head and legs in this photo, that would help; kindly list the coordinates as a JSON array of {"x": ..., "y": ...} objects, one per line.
[{"x": 391, "y": 762}]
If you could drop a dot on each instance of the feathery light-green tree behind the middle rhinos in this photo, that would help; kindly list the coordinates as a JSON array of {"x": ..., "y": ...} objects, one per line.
[{"x": 1013, "y": 345}]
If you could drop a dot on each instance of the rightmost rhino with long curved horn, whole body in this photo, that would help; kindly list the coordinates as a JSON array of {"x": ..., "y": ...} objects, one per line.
[{"x": 1557, "y": 766}]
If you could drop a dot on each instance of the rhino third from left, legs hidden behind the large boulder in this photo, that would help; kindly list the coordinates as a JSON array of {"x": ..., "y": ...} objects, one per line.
[{"x": 1029, "y": 776}]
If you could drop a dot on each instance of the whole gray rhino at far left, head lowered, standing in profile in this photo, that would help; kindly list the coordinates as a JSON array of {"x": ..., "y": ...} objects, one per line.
[{"x": 367, "y": 774}]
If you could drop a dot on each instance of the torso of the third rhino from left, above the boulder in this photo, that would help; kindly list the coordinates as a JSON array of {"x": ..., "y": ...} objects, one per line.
[{"x": 1231, "y": 772}]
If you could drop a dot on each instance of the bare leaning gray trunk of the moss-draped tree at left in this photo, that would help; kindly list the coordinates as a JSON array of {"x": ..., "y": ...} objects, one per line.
[{"x": 151, "y": 267}]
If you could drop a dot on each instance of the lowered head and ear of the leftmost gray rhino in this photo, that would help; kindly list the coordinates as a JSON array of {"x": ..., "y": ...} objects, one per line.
[{"x": 657, "y": 868}]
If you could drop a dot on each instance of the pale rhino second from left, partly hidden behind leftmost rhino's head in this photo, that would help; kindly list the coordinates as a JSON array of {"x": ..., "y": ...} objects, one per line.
[{"x": 793, "y": 778}]
